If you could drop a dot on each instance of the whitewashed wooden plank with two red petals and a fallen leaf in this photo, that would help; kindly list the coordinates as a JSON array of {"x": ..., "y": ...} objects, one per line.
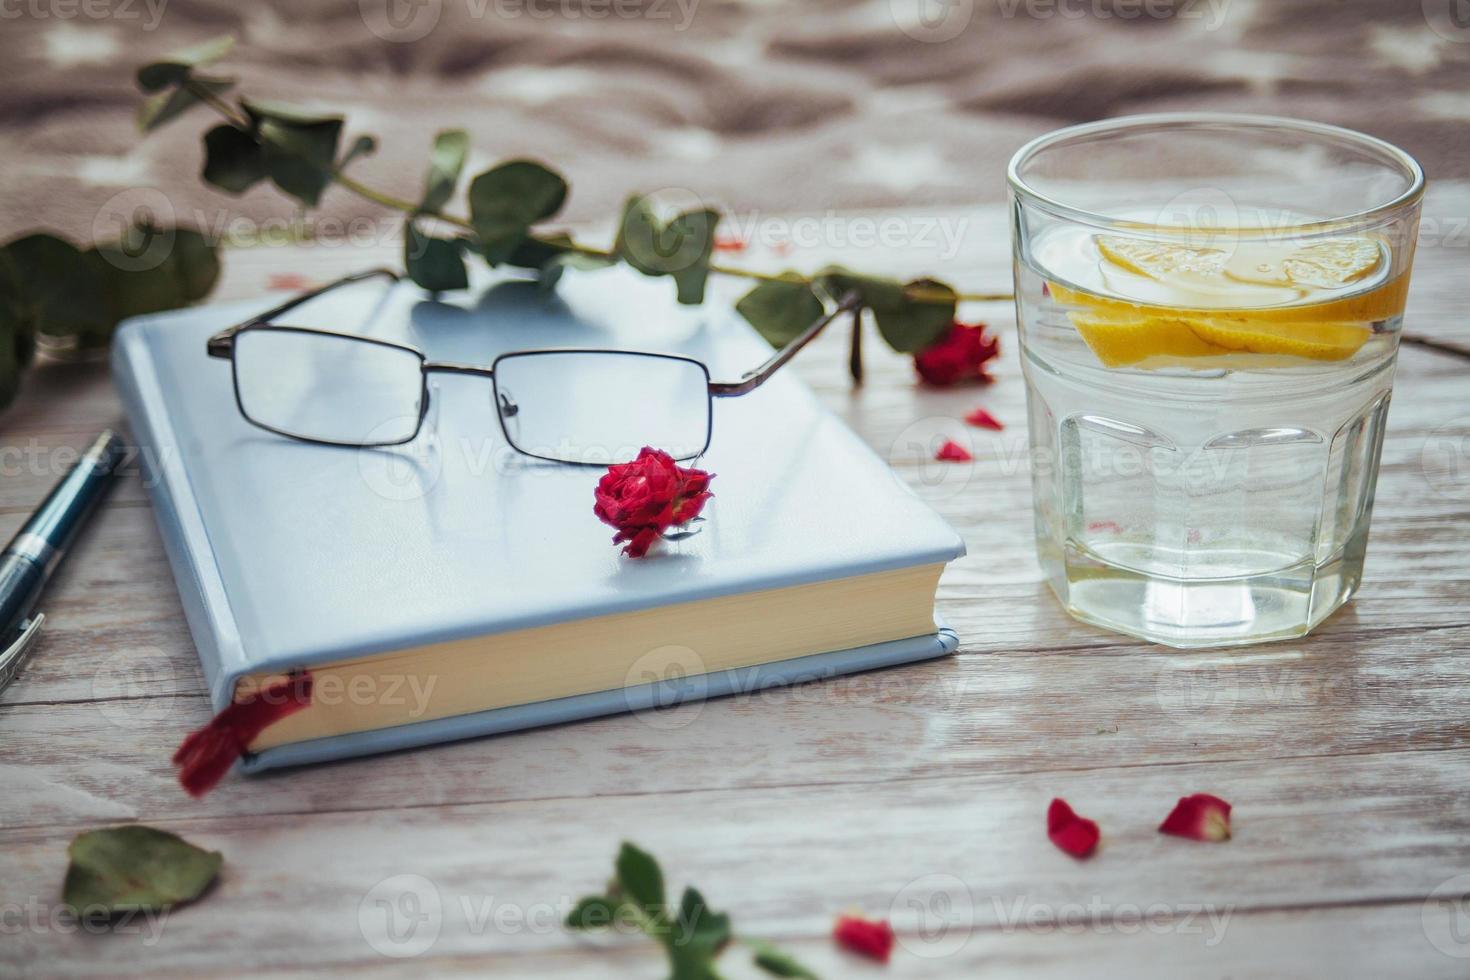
[{"x": 786, "y": 860}]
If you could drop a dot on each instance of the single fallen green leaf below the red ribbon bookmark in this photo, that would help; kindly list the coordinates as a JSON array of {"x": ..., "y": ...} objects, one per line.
[{"x": 136, "y": 869}]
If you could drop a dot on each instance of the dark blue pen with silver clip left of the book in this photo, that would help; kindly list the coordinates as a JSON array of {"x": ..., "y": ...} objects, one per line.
[{"x": 33, "y": 555}]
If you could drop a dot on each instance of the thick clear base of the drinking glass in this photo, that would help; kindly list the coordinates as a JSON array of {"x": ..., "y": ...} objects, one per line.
[{"x": 1196, "y": 613}]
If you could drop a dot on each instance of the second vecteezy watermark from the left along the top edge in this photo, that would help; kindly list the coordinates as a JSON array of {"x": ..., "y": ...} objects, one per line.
[{"x": 408, "y": 21}]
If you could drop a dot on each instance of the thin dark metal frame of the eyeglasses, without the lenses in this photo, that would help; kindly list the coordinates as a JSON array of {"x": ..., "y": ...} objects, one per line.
[{"x": 223, "y": 346}]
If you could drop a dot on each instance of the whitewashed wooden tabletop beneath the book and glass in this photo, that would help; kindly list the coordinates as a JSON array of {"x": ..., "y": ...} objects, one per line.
[{"x": 1347, "y": 756}]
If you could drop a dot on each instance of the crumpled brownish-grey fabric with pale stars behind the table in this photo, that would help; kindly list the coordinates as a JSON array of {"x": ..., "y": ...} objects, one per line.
[{"x": 745, "y": 104}]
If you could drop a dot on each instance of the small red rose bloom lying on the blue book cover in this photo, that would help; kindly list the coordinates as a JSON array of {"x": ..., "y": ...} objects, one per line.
[{"x": 648, "y": 497}]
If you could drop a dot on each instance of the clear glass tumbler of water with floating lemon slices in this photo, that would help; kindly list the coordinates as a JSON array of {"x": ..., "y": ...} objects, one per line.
[{"x": 1209, "y": 312}]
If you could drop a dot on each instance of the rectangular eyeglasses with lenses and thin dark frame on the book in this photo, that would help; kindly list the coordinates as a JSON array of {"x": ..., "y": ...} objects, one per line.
[{"x": 564, "y": 405}]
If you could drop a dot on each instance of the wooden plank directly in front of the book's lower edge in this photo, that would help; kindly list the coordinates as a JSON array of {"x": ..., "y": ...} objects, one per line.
[{"x": 992, "y": 713}]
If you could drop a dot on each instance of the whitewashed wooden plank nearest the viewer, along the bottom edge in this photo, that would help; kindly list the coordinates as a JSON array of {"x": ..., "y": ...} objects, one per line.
[{"x": 1368, "y": 943}]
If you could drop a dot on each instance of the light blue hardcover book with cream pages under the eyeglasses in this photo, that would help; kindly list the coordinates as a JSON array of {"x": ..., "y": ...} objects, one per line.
[{"x": 453, "y": 588}]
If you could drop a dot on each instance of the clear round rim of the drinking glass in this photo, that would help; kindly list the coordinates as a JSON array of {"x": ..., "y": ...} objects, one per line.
[{"x": 1243, "y": 121}]
